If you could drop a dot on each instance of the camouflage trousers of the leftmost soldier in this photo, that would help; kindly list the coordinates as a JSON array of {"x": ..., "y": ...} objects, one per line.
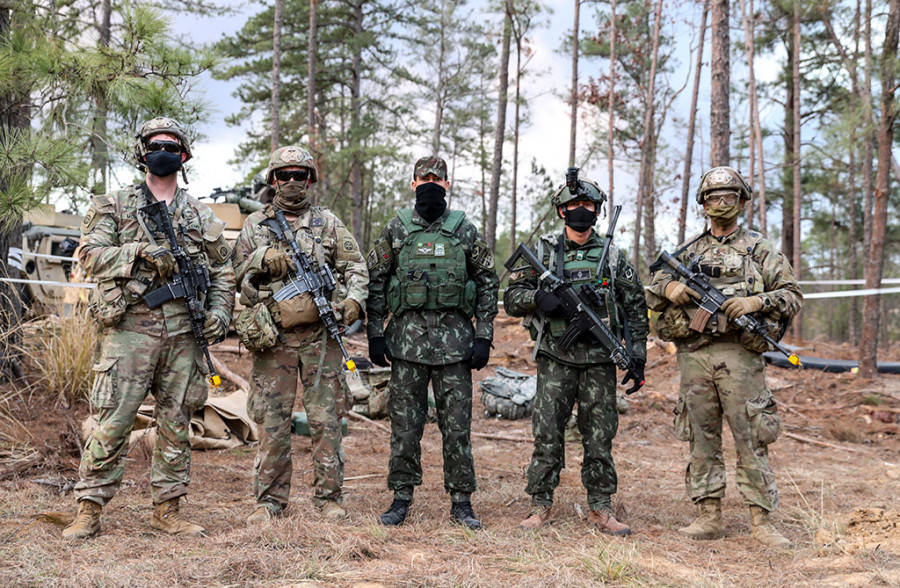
[{"x": 130, "y": 363}]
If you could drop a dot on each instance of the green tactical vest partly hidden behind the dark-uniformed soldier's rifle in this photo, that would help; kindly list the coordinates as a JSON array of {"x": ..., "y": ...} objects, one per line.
[{"x": 581, "y": 266}]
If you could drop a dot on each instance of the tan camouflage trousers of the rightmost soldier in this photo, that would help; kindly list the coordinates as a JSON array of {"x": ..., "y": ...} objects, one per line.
[{"x": 726, "y": 379}]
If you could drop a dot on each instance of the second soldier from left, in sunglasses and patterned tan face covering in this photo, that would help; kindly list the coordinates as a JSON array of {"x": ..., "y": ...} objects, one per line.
[{"x": 287, "y": 338}]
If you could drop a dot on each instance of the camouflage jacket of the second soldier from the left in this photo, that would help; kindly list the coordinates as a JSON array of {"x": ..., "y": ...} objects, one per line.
[{"x": 321, "y": 235}]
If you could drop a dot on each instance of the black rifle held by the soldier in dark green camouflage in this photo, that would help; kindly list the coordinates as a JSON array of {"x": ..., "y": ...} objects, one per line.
[{"x": 577, "y": 307}]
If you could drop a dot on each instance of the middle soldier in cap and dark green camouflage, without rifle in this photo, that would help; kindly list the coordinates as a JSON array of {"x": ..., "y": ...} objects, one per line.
[{"x": 432, "y": 270}]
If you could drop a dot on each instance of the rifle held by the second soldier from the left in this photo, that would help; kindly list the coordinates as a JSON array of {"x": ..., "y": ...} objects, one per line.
[{"x": 319, "y": 282}]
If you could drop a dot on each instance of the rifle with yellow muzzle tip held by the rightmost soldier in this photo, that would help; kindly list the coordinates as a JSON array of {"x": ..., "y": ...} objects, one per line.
[{"x": 711, "y": 300}]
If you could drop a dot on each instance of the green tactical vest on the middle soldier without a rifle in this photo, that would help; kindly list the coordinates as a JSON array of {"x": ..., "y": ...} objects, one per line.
[{"x": 431, "y": 269}]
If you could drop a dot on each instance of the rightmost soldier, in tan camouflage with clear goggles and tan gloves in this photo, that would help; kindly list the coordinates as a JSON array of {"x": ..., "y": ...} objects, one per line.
[{"x": 722, "y": 367}]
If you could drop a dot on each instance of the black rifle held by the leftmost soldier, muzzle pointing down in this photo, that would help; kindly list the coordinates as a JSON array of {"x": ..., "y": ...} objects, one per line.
[{"x": 187, "y": 283}]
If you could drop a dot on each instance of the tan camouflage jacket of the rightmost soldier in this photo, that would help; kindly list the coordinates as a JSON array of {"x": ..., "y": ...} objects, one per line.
[{"x": 743, "y": 263}]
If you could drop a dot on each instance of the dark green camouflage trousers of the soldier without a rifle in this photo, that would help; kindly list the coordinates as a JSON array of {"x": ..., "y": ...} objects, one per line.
[{"x": 408, "y": 407}]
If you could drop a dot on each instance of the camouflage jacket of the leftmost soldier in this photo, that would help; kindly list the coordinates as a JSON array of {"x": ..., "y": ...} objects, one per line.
[{"x": 111, "y": 235}]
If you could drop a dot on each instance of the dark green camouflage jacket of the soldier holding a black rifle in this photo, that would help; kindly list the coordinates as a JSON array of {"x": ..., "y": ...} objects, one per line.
[{"x": 627, "y": 296}]
